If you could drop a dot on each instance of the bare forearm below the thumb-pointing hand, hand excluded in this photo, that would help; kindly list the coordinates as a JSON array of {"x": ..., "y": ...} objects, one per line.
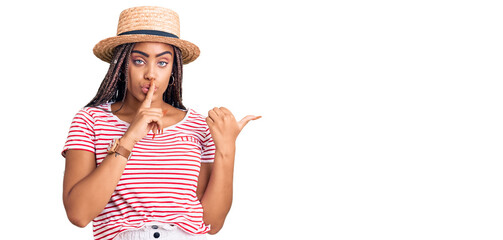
[{"x": 217, "y": 198}]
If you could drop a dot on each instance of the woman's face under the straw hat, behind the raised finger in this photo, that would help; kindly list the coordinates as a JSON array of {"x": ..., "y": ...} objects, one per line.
[{"x": 149, "y": 62}]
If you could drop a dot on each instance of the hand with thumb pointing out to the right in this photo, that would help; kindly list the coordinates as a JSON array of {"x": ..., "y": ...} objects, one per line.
[{"x": 223, "y": 126}]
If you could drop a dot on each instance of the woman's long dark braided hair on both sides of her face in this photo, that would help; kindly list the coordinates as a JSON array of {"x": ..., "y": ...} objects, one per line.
[{"x": 113, "y": 88}]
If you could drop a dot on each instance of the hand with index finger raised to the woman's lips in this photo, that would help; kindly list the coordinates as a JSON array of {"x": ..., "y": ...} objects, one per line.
[{"x": 146, "y": 119}]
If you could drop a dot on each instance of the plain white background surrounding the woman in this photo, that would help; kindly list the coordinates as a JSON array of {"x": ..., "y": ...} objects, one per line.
[{"x": 381, "y": 119}]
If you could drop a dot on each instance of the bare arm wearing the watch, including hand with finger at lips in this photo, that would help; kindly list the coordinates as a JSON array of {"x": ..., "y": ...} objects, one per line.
[{"x": 86, "y": 188}]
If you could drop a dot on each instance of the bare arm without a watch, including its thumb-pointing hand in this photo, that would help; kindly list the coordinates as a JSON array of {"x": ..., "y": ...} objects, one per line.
[{"x": 217, "y": 198}]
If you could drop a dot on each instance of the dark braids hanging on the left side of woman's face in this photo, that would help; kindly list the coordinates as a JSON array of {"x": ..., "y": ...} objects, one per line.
[{"x": 113, "y": 87}]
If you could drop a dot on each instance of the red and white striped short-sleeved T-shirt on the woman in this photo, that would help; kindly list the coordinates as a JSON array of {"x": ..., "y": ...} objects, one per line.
[{"x": 160, "y": 180}]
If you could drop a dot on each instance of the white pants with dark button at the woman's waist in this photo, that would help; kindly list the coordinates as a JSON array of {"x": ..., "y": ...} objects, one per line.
[{"x": 159, "y": 231}]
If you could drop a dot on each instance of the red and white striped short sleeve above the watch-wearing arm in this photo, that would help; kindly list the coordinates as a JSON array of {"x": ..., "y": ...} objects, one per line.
[{"x": 81, "y": 135}]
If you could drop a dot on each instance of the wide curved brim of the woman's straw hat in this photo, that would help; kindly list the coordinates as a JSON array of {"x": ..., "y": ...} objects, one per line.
[{"x": 104, "y": 49}]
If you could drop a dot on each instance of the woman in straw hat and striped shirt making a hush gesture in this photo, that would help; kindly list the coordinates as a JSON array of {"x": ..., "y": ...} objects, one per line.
[{"x": 138, "y": 163}]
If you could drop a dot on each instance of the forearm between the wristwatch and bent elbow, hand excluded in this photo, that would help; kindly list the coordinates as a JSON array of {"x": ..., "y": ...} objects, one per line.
[{"x": 88, "y": 197}]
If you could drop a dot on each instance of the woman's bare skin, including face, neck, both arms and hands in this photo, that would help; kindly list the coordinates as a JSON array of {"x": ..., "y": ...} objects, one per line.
[{"x": 87, "y": 188}]
